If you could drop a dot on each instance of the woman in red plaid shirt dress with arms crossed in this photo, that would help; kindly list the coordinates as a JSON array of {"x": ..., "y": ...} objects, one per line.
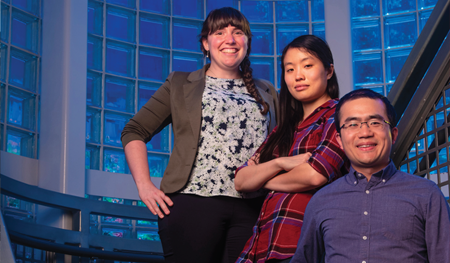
[{"x": 300, "y": 155}]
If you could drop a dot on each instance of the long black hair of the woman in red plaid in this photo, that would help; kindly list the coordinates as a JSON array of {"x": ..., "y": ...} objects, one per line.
[{"x": 291, "y": 110}]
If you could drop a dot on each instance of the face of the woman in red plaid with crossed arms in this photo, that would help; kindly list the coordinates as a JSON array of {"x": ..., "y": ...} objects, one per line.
[{"x": 306, "y": 77}]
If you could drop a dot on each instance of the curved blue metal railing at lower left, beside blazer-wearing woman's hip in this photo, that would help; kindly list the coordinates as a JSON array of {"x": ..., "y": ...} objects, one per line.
[{"x": 78, "y": 241}]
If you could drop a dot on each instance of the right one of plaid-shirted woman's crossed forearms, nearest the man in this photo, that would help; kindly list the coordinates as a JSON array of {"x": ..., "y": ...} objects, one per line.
[{"x": 302, "y": 178}]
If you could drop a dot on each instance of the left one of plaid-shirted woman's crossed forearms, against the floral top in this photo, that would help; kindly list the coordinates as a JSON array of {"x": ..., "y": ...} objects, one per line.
[{"x": 253, "y": 177}]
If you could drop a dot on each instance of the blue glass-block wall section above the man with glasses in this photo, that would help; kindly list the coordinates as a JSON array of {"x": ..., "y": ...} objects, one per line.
[{"x": 383, "y": 34}]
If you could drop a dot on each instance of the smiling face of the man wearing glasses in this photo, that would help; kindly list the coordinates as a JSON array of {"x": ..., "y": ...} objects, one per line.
[{"x": 367, "y": 149}]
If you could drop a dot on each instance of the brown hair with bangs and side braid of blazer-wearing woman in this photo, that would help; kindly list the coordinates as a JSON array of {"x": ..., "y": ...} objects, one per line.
[{"x": 221, "y": 18}]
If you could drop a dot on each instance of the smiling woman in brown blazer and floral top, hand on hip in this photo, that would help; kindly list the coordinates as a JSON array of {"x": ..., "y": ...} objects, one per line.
[{"x": 220, "y": 114}]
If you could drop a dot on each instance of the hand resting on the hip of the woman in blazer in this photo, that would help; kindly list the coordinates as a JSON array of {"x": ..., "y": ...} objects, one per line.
[{"x": 152, "y": 197}]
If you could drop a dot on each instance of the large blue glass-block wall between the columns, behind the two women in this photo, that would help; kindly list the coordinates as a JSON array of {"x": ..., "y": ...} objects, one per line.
[{"x": 134, "y": 44}]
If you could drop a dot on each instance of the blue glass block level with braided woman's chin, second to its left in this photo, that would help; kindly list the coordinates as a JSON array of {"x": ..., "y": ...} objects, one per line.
[{"x": 153, "y": 64}]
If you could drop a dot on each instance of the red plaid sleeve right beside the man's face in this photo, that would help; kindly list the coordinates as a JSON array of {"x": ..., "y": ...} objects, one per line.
[{"x": 328, "y": 157}]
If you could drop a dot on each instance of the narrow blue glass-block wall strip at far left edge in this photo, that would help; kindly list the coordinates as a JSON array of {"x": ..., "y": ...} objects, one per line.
[{"x": 19, "y": 76}]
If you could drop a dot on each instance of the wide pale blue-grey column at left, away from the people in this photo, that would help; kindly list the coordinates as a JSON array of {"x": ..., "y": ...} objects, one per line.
[{"x": 63, "y": 96}]
